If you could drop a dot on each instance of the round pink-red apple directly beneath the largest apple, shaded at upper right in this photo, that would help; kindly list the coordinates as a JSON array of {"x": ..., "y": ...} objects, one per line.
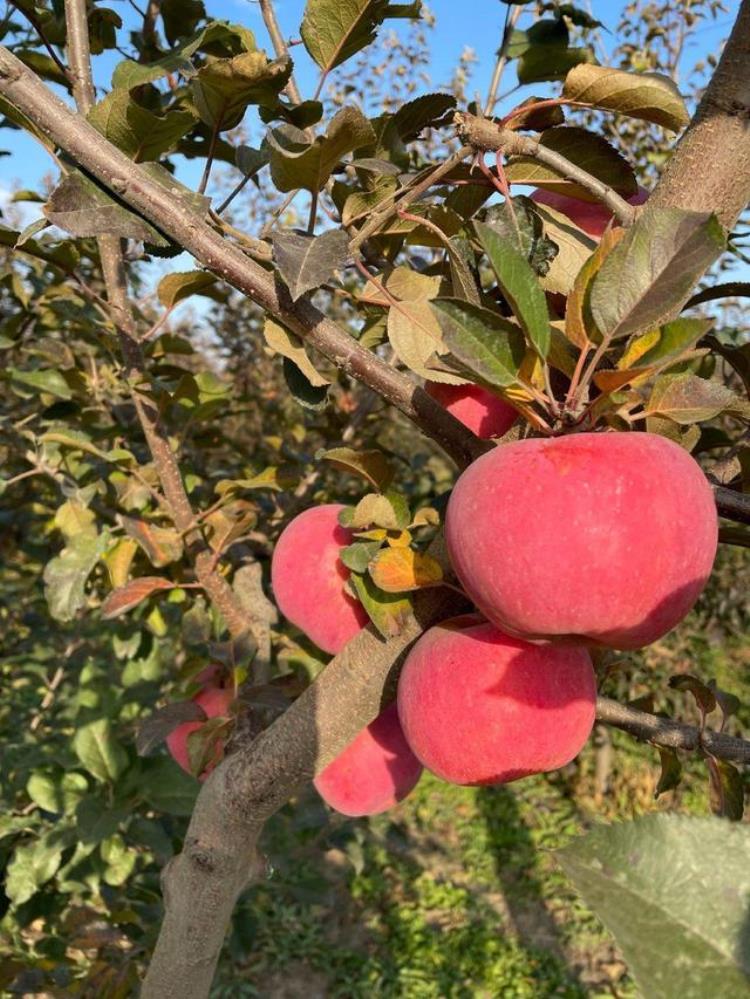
[{"x": 479, "y": 707}]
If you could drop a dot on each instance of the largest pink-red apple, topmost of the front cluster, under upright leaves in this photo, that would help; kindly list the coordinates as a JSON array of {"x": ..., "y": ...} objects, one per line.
[{"x": 601, "y": 538}]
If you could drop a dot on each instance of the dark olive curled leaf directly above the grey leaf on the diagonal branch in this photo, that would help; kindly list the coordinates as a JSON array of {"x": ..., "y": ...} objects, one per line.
[{"x": 298, "y": 163}]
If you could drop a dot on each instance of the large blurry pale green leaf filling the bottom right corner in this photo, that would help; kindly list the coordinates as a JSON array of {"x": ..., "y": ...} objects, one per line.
[{"x": 674, "y": 892}]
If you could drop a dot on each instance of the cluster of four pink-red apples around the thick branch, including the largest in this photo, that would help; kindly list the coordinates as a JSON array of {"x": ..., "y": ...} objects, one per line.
[{"x": 592, "y": 539}]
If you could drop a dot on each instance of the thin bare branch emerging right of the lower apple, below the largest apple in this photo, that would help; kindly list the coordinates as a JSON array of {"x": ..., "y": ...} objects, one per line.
[{"x": 671, "y": 734}]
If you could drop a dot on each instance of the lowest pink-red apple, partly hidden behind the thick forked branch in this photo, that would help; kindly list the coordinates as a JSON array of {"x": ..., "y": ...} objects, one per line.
[{"x": 374, "y": 772}]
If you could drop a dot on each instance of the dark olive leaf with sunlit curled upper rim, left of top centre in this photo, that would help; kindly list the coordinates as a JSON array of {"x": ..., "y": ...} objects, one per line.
[{"x": 224, "y": 88}]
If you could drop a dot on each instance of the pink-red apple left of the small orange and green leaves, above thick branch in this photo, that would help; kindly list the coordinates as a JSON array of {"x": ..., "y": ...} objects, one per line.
[{"x": 308, "y": 576}]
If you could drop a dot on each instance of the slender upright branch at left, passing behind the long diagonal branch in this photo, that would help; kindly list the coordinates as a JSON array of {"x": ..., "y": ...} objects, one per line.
[{"x": 116, "y": 283}]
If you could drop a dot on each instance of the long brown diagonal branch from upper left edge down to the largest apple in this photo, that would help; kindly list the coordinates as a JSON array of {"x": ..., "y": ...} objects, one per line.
[{"x": 157, "y": 203}]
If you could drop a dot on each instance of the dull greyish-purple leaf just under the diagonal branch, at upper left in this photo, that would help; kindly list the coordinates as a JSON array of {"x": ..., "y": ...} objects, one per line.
[{"x": 82, "y": 208}]
